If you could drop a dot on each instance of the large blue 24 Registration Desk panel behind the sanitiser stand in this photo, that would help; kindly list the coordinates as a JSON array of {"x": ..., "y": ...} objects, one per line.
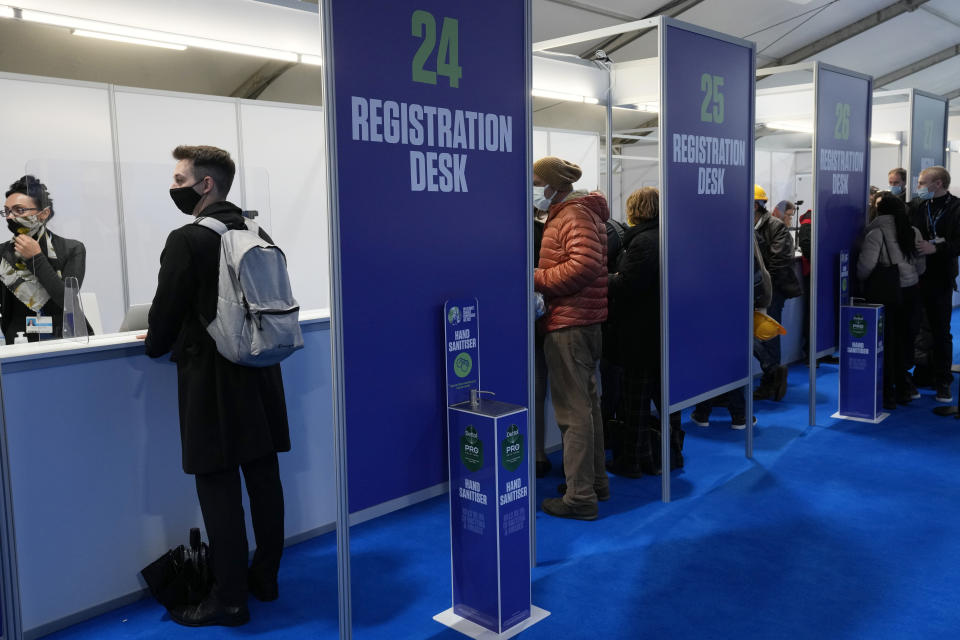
[{"x": 433, "y": 204}]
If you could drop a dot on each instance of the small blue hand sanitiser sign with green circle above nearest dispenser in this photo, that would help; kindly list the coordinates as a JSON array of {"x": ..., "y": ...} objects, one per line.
[{"x": 462, "y": 330}]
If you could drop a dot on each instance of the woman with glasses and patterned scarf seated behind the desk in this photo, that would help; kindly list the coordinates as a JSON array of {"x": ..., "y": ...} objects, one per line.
[{"x": 34, "y": 263}]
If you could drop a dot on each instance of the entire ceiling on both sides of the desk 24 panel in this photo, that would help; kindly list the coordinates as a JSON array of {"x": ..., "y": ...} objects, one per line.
[{"x": 916, "y": 39}]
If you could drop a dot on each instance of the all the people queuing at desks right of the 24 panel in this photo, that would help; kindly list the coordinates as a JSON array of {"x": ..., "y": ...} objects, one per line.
[{"x": 601, "y": 286}]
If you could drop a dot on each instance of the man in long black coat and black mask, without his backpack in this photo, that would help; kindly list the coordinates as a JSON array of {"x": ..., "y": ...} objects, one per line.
[{"x": 231, "y": 417}]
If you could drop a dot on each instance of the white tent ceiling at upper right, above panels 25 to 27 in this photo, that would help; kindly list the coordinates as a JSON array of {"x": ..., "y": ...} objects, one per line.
[{"x": 876, "y": 37}]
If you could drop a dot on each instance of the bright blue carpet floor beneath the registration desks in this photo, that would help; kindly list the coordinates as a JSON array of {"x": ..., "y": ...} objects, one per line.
[{"x": 843, "y": 530}]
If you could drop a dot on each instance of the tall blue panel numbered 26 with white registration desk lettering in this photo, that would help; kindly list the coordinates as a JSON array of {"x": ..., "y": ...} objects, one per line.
[{"x": 841, "y": 160}]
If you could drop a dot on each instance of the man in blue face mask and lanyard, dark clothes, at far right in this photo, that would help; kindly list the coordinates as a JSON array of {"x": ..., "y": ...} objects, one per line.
[{"x": 936, "y": 213}]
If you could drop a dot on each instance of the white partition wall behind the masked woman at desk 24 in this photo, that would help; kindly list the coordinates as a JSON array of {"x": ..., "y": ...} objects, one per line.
[{"x": 104, "y": 152}]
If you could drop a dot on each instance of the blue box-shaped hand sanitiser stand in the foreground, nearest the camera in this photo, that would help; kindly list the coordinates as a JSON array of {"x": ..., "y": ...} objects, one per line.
[{"x": 489, "y": 514}]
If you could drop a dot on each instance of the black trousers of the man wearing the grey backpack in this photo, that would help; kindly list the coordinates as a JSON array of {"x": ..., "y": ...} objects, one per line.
[{"x": 221, "y": 502}]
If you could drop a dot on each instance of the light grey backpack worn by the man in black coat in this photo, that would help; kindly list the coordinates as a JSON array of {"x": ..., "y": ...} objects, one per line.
[{"x": 257, "y": 322}]
